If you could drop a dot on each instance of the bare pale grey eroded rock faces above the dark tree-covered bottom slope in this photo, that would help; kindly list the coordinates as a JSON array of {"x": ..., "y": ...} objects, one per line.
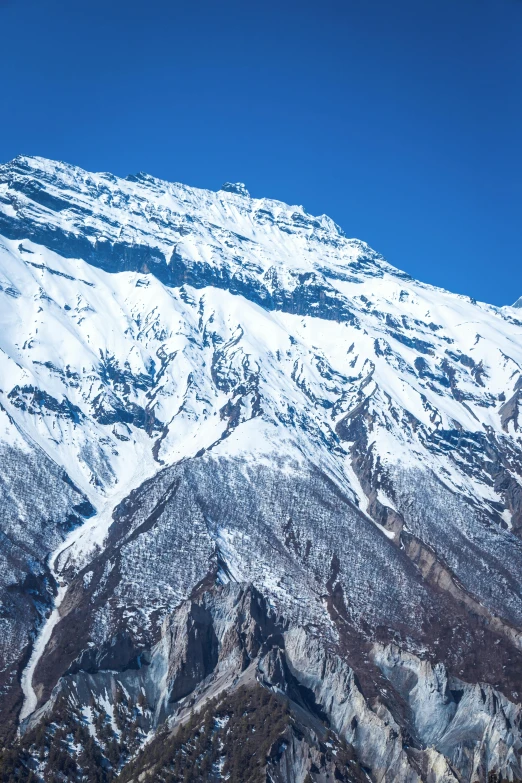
[{"x": 421, "y": 725}]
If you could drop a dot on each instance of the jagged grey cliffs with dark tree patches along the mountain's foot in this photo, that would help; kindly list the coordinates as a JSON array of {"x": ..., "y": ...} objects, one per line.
[{"x": 406, "y": 720}]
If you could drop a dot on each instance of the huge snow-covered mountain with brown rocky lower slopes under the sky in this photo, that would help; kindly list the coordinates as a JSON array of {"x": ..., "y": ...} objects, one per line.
[{"x": 202, "y": 388}]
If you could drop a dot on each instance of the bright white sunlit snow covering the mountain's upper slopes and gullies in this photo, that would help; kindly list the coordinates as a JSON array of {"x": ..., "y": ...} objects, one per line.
[{"x": 283, "y": 328}]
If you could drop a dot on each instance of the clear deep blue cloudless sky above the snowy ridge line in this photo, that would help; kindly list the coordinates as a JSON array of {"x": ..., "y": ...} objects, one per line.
[{"x": 401, "y": 120}]
